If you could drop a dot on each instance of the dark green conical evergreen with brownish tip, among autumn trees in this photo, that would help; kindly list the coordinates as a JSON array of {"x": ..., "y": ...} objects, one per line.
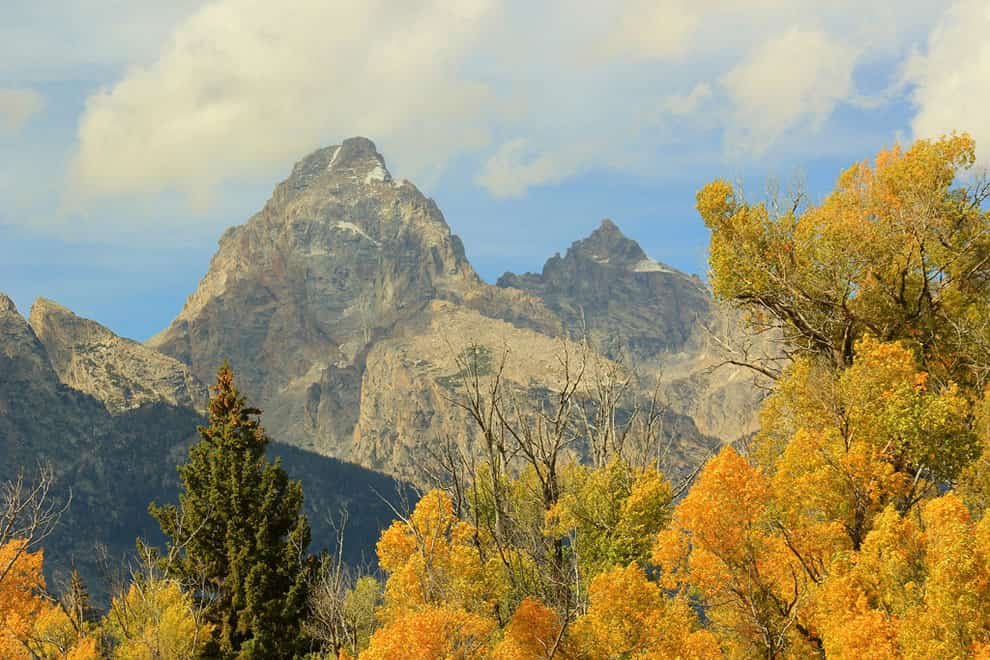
[{"x": 237, "y": 537}]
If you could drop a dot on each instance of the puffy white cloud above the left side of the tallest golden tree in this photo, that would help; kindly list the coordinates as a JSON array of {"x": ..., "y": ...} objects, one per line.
[{"x": 794, "y": 79}]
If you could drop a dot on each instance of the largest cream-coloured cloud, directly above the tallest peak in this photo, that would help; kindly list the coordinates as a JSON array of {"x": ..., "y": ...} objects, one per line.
[{"x": 247, "y": 84}]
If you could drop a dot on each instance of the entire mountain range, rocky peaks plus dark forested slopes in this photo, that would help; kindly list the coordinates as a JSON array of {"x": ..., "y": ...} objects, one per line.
[{"x": 344, "y": 307}]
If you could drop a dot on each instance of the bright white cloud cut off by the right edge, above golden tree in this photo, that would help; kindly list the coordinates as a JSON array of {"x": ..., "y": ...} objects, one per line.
[{"x": 951, "y": 91}]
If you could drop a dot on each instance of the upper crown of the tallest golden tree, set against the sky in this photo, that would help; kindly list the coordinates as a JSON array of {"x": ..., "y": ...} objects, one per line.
[{"x": 898, "y": 249}]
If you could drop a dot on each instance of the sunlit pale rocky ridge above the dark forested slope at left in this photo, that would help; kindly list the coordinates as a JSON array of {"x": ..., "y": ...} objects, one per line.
[{"x": 121, "y": 373}]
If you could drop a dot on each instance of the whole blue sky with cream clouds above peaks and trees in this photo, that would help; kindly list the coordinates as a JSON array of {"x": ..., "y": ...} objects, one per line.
[{"x": 133, "y": 132}]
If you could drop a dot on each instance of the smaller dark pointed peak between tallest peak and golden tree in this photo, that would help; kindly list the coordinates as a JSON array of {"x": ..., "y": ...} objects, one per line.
[{"x": 665, "y": 321}]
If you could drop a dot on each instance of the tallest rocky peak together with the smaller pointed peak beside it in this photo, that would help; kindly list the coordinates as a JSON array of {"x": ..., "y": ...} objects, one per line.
[{"x": 344, "y": 303}]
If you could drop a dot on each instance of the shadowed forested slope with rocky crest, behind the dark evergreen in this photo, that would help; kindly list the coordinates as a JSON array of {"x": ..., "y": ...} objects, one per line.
[{"x": 114, "y": 419}]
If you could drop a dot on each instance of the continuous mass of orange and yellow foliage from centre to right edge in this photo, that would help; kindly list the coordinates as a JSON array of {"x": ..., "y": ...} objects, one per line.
[{"x": 852, "y": 525}]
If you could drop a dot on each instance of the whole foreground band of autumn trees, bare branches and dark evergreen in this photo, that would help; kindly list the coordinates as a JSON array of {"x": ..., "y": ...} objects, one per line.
[{"x": 851, "y": 525}]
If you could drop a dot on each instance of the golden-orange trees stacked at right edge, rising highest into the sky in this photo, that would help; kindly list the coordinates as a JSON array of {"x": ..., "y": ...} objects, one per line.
[{"x": 822, "y": 536}]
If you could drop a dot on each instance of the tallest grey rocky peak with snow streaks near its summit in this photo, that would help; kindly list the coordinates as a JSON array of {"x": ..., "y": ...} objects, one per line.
[{"x": 339, "y": 255}]
